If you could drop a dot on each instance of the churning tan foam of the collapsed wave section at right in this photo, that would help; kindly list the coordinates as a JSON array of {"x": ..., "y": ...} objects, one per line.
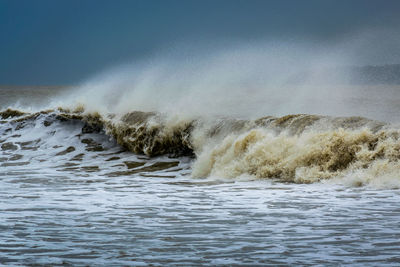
[{"x": 353, "y": 157}]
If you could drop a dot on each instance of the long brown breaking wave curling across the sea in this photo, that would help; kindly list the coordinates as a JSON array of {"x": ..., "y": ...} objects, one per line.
[{"x": 297, "y": 148}]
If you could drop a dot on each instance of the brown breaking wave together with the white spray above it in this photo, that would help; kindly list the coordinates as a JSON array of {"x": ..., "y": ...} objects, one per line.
[{"x": 237, "y": 110}]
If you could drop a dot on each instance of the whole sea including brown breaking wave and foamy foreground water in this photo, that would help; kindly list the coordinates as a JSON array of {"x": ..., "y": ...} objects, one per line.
[{"x": 84, "y": 185}]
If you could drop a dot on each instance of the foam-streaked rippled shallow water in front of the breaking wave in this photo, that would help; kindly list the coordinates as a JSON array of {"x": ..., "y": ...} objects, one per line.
[{"x": 55, "y": 216}]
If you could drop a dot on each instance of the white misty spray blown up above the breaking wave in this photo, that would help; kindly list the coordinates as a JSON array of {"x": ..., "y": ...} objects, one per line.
[{"x": 243, "y": 81}]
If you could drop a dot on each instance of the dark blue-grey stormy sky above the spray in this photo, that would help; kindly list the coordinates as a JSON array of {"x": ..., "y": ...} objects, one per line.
[{"x": 65, "y": 41}]
